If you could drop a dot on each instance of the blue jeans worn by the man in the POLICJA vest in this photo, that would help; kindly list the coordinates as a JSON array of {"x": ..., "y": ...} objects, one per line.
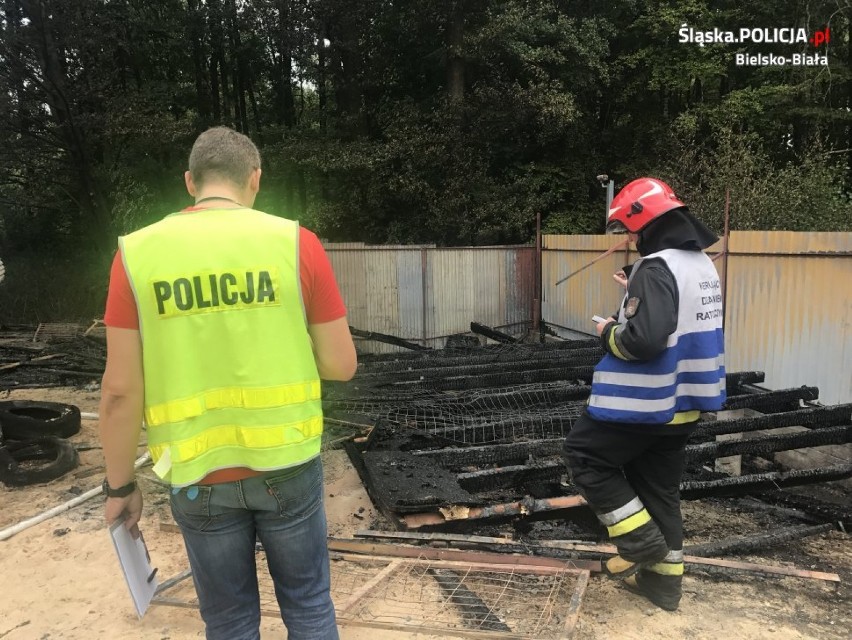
[{"x": 220, "y": 524}]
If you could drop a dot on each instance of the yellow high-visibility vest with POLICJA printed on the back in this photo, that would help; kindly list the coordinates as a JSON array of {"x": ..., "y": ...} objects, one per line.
[{"x": 230, "y": 376}]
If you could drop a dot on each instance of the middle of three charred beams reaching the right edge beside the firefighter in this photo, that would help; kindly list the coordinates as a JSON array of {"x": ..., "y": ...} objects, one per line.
[{"x": 760, "y": 446}]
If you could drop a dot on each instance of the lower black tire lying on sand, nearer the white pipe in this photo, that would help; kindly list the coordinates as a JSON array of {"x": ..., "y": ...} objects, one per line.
[{"x": 59, "y": 455}]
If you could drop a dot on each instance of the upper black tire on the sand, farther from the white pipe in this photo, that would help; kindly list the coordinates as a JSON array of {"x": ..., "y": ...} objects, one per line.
[{"x": 27, "y": 419}]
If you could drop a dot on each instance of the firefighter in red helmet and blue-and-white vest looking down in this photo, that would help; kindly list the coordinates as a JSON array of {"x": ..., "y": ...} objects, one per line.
[{"x": 664, "y": 364}]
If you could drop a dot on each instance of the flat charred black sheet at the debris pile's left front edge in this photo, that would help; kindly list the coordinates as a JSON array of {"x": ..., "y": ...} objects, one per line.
[{"x": 406, "y": 484}]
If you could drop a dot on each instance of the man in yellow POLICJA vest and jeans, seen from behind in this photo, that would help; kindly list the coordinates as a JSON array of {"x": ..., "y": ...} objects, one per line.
[{"x": 221, "y": 320}]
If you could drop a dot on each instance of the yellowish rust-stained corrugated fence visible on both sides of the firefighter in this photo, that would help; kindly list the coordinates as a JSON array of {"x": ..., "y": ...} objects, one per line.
[{"x": 788, "y": 301}]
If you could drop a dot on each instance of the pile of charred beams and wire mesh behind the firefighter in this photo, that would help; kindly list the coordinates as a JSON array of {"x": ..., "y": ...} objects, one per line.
[{"x": 472, "y": 435}]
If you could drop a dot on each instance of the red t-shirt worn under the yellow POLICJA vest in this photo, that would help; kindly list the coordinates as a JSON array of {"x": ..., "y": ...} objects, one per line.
[{"x": 321, "y": 296}]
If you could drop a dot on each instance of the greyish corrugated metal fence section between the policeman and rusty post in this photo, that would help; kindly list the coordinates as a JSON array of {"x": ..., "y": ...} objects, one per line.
[{"x": 424, "y": 294}]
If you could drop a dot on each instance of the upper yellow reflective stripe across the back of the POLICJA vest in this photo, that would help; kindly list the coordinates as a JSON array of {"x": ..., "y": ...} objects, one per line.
[{"x": 231, "y": 398}]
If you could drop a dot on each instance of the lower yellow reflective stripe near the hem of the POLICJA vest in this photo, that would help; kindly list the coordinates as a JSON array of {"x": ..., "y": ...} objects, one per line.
[{"x": 239, "y": 436}]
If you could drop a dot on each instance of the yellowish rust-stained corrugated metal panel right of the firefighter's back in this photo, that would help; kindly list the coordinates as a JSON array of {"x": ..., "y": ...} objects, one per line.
[{"x": 788, "y": 309}]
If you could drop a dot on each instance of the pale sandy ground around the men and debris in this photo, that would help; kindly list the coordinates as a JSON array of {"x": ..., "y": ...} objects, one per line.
[{"x": 60, "y": 579}]
